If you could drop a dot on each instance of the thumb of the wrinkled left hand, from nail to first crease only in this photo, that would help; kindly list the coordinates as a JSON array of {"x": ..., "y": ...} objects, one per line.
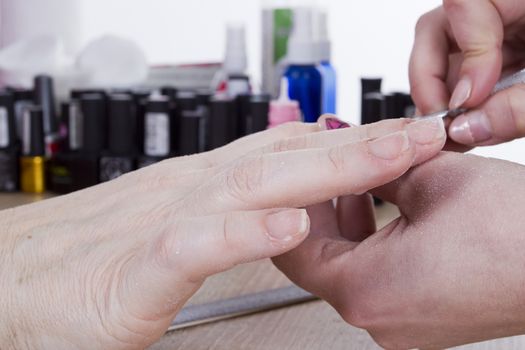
[{"x": 209, "y": 245}]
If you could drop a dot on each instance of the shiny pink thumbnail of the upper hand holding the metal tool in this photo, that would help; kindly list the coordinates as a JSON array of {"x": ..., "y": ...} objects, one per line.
[{"x": 471, "y": 128}]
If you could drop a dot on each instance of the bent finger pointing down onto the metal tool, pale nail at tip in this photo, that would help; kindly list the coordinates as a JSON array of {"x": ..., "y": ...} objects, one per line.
[{"x": 478, "y": 30}]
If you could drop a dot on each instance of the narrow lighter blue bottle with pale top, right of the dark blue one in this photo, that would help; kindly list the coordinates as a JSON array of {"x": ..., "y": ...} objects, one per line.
[{"x": 328, "y": 74}]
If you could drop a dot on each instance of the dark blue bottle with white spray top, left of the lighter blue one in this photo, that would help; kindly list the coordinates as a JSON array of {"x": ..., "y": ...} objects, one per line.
[{"x": 304, "y": 78}]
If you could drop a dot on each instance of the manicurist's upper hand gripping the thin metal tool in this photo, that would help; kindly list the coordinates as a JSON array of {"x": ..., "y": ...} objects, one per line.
[{"x": 461, "y": 50}]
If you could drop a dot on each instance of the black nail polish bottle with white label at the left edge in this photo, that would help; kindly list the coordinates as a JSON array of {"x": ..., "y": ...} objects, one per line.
[{"x": 9, "y": 151}]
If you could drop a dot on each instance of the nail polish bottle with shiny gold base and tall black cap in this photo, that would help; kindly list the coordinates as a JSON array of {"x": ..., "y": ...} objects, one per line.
[{"x": 32, "y": 162}]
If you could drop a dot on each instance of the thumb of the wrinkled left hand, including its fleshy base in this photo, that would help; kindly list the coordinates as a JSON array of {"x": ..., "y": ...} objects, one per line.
[{"x": 180, "y": 258}]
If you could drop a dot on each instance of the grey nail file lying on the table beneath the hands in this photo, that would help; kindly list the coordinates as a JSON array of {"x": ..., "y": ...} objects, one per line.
[{"x": 195, "y": 315}]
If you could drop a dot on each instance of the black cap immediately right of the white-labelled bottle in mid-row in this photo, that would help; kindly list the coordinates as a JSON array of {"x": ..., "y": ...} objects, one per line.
[{"x": 190, "y": 132}]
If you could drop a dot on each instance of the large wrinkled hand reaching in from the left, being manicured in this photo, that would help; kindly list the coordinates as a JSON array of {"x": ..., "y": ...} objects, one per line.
[{"x": 109, "y": 267}]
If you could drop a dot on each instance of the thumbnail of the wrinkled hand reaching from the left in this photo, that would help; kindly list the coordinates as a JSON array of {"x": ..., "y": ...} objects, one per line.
[{"x": 287, "y": 224}]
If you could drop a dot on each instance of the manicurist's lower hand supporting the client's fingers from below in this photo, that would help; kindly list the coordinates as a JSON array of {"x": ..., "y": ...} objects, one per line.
[{"x": 449, "y": 271}]
